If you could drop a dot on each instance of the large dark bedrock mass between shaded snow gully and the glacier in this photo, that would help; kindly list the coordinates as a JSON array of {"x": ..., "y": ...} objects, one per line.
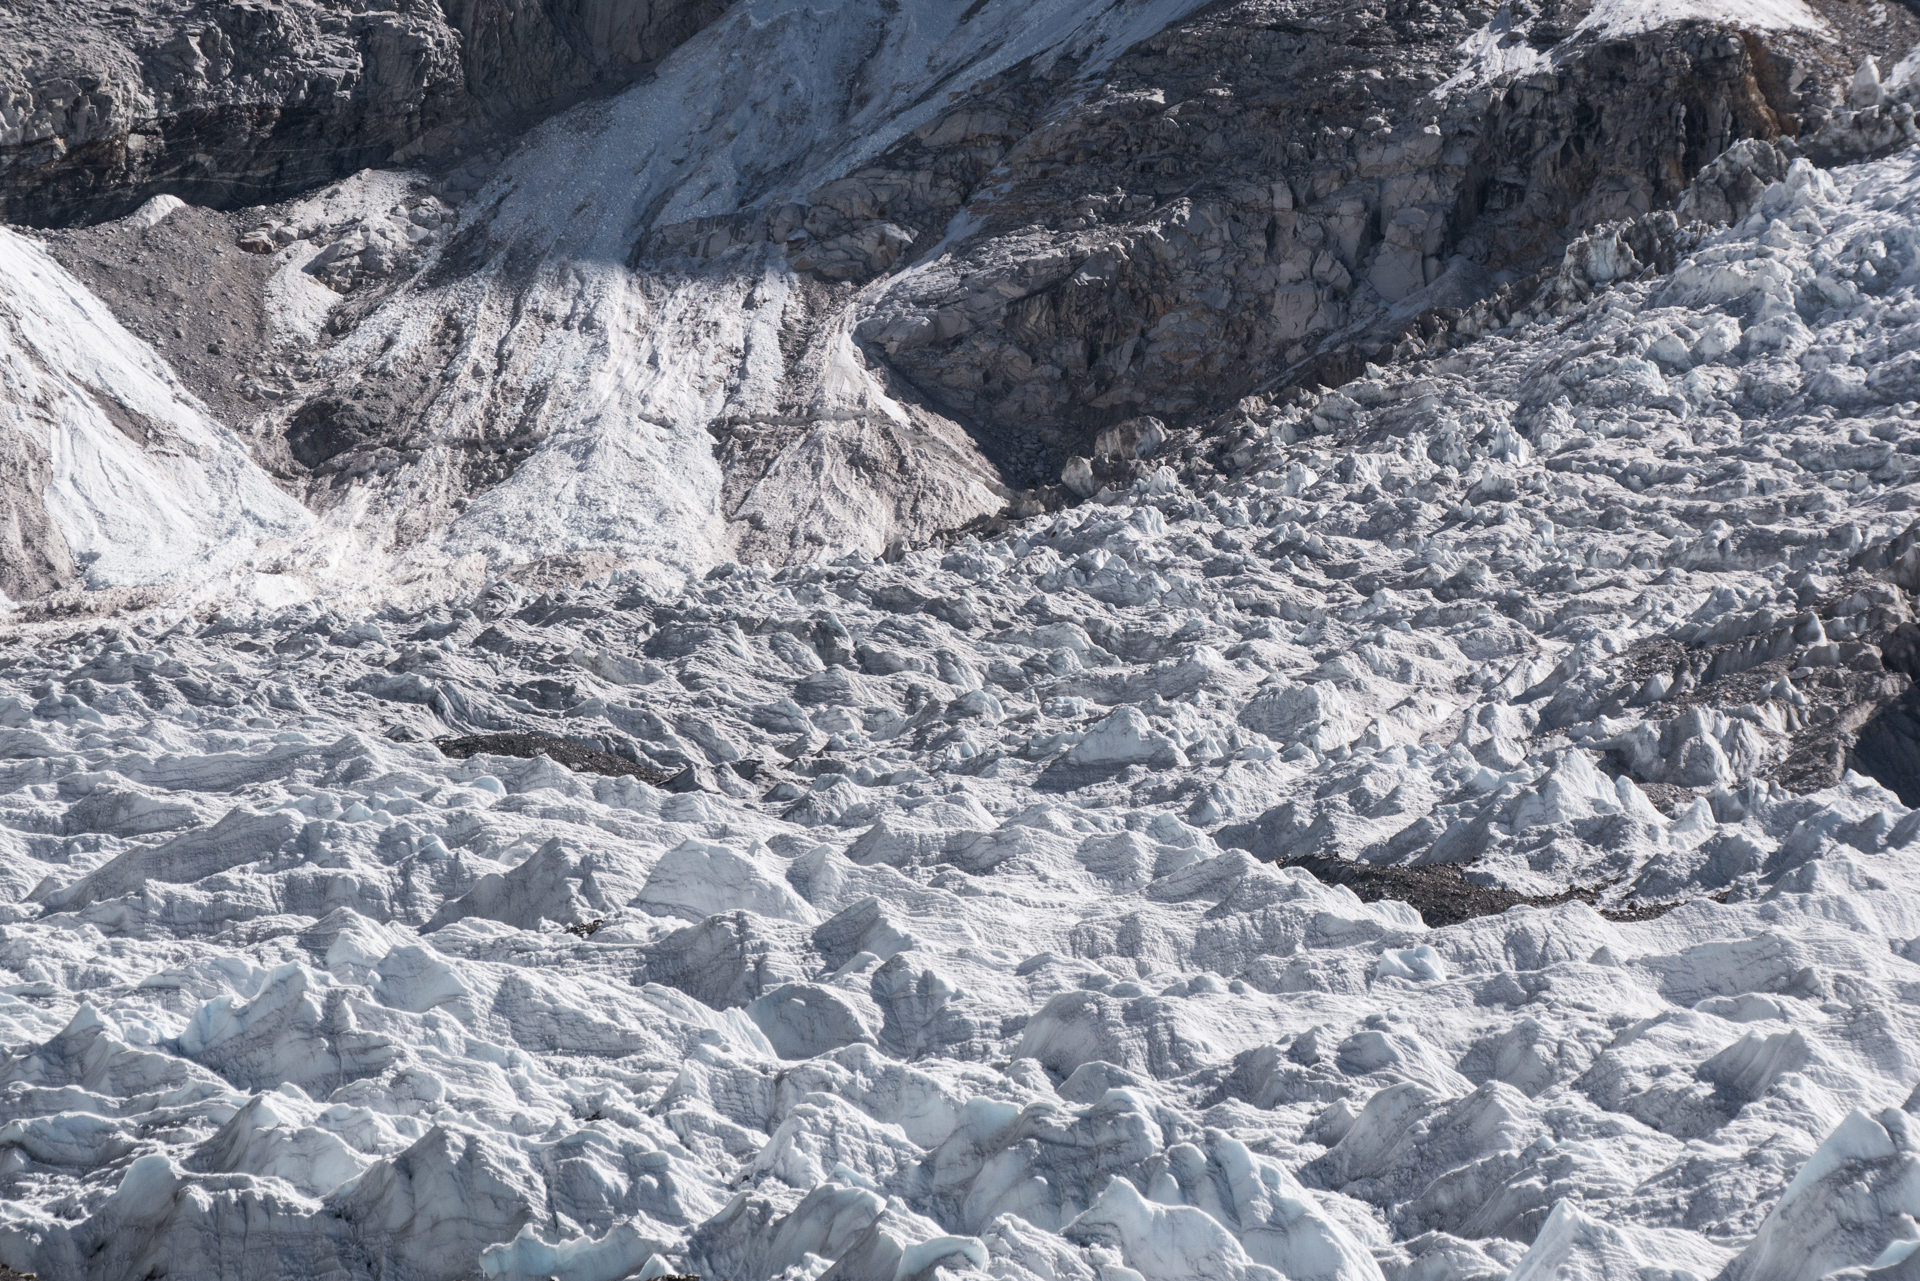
[{"x": 1264, "y": 193}]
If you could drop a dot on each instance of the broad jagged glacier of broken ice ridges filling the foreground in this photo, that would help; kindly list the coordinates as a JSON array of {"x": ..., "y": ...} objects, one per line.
[{"x": 1412, "y": 836}]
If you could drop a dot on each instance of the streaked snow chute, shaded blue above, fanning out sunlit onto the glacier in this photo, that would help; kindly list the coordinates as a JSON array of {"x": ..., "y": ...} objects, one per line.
[{"x": 610, "y": 381}]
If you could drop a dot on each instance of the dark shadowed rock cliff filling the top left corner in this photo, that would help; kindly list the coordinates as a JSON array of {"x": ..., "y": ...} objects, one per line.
[{"x": 241, "y": 105}]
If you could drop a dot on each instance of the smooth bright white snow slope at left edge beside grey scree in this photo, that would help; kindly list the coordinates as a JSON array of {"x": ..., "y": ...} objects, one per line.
[{"x": 116, "y": 471}]
